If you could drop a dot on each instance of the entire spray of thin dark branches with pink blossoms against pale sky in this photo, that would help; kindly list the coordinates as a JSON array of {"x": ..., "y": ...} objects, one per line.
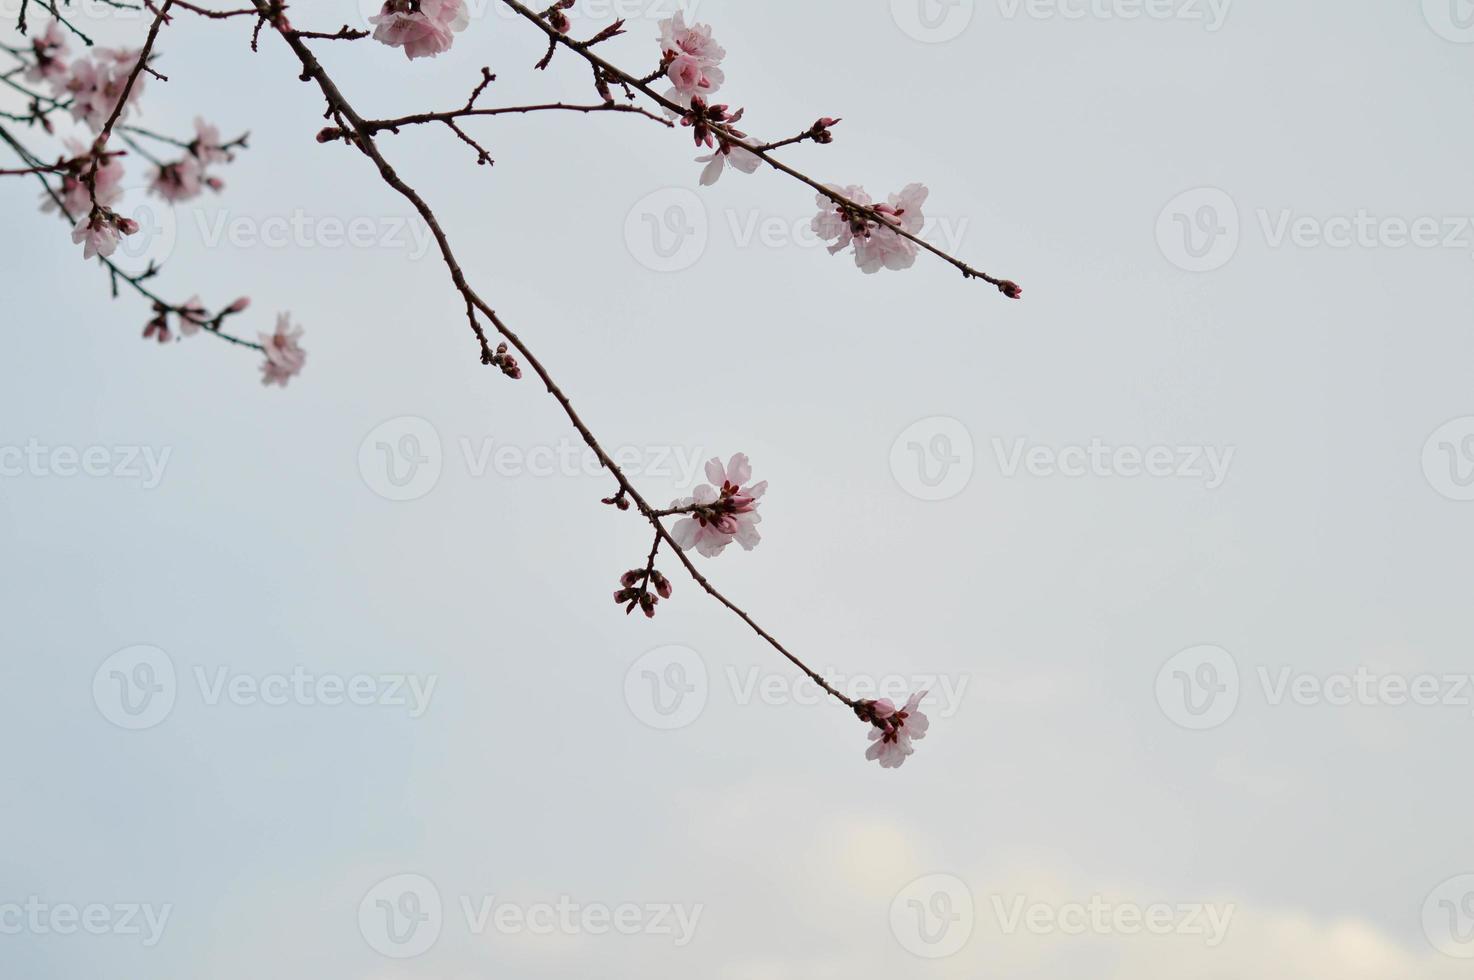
[{"x": 102, "y": 94}]
